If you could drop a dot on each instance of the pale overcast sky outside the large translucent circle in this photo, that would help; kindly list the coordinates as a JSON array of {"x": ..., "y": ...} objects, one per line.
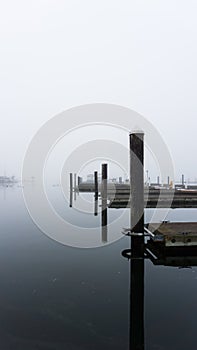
[{"x": 56, "y": 54}]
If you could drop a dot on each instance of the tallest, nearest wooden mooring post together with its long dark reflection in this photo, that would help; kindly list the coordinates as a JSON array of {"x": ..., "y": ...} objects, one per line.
[{"x": 137, "y": 242}]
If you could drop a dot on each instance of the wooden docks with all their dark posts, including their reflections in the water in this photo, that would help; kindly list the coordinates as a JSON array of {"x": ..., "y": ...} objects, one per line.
[{"x": 169, "y": 244}]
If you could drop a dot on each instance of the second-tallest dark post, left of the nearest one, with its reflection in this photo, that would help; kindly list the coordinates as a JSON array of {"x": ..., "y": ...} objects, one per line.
[{"x": 104, "y": 203}]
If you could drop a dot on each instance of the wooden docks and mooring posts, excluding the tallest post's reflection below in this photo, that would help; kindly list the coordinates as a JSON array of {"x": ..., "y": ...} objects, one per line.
[{"x": 133, "y": 195}]
